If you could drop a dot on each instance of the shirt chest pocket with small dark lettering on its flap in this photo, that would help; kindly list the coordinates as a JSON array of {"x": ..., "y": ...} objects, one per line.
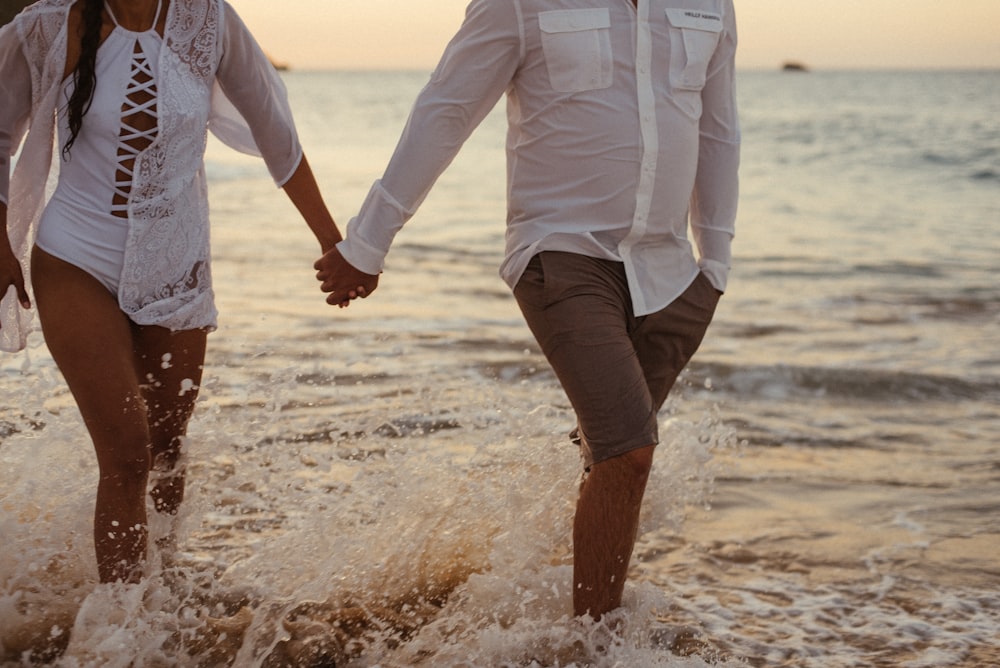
[{"x": 694, "y": 36}]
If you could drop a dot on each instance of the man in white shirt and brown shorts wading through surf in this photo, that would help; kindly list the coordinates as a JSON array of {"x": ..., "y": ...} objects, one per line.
[{"x": 622, "y": 128}]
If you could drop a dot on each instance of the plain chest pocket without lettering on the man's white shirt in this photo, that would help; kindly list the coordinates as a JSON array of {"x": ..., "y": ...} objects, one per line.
[{"x": 577, "y": 48}]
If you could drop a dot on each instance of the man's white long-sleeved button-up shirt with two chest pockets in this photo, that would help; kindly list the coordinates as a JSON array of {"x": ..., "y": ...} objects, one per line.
[{"x": 622, "y": 127}]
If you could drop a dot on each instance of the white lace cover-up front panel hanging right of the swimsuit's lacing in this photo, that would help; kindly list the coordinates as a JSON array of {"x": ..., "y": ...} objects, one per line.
[{"x": 169, "y": 236}]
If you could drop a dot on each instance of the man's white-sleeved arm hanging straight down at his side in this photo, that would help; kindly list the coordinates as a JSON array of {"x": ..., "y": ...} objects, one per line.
[{"x": 713, "y": 203}]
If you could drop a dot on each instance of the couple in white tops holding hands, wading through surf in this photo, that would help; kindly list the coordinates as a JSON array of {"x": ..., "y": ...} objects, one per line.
[{"x": 623, "y": 140}]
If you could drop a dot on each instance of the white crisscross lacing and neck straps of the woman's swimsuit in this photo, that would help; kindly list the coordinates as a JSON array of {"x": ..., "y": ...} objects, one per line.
[{"x": 139, "y": 124}]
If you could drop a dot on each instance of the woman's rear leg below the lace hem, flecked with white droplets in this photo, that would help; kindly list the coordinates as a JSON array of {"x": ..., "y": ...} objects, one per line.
[{"x": 169, "y": 367}]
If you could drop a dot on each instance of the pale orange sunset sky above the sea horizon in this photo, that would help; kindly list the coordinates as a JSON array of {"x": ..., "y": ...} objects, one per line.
[{"x": 847, "y": 34}]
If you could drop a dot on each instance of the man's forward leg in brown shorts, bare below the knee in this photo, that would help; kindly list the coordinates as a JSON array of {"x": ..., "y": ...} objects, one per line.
[{"x": 579, "y": 310}]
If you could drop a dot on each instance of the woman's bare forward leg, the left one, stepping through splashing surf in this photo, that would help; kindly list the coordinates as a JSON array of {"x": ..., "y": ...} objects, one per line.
[{"x": 91, "y": 341}]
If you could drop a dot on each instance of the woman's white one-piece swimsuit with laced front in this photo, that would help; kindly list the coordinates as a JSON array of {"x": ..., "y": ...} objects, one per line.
[{"x": 86, "y": 223}]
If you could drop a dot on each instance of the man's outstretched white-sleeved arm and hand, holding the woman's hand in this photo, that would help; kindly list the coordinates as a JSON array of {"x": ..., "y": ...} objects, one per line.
[{"x": 473, "y": 74}]
